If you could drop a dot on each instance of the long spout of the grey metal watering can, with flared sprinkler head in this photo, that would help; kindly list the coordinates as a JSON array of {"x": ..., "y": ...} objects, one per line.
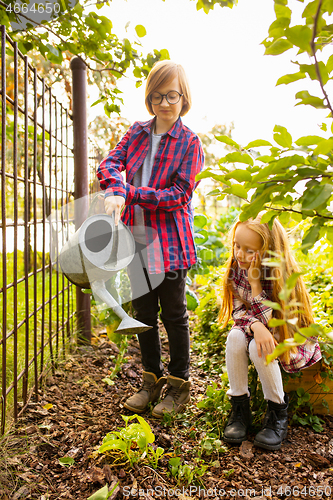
[{"x": 128, "y": 325}]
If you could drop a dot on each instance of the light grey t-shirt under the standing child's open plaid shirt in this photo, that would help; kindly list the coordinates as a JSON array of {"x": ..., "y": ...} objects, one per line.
[{"x": 141, "y": 178}]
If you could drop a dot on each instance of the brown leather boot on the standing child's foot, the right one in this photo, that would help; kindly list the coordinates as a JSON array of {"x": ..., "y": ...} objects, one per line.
[{"x": 177, "y": 395}]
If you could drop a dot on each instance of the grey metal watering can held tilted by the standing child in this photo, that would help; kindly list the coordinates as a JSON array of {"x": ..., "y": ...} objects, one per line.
[{"x": 96, "y": 252}]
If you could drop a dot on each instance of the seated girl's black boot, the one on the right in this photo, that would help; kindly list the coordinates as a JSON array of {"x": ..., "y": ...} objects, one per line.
[{"x": 275, "y": 426}]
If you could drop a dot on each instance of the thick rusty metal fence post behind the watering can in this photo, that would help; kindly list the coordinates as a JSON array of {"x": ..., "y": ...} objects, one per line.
[{"x": 81, "y": 178}]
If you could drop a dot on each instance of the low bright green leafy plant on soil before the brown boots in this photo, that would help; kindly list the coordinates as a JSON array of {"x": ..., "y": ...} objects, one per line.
[{"x": 133, "y": 441}]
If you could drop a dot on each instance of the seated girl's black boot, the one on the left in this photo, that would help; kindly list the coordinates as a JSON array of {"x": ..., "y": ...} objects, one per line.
[{"x": 239, "y": 421}]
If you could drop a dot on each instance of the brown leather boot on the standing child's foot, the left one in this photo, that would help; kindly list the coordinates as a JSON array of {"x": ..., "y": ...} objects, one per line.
[{"x": 149, "y": 392}]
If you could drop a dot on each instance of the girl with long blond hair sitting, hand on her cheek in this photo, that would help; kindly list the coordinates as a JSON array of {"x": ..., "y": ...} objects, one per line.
[{"x": 247, "y": 284}]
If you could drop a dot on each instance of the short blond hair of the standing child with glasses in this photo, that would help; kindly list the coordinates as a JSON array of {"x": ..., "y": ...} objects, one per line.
[{"x": 163, "y": 72}]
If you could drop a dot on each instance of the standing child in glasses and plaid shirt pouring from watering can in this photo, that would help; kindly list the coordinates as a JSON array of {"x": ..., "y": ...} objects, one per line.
[{"x": 161, "y": 158}]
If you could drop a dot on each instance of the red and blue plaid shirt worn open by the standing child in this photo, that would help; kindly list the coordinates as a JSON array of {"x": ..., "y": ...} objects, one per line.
[{"x": 167, "y": 198}]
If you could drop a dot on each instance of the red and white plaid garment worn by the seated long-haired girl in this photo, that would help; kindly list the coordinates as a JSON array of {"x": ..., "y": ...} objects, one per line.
[{"x": 307, "y": 354}]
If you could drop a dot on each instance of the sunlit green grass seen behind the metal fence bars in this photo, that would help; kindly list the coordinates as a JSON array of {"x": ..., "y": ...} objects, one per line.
[{"x": 48, "y": 304}]
